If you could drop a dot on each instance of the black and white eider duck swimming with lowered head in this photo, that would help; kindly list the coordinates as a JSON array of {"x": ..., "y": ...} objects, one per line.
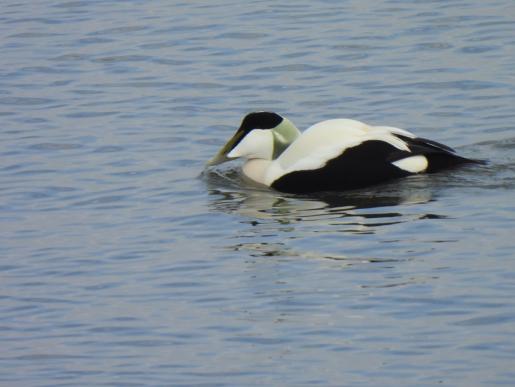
[{"x": 332, "y": 155}]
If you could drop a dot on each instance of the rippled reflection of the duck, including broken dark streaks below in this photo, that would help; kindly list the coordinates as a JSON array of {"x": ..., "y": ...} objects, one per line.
[{"x": 325, "y": 225}]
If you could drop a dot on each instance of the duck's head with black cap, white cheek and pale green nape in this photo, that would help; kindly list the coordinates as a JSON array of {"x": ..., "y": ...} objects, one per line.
[{"x": 261, "y": 135}]
